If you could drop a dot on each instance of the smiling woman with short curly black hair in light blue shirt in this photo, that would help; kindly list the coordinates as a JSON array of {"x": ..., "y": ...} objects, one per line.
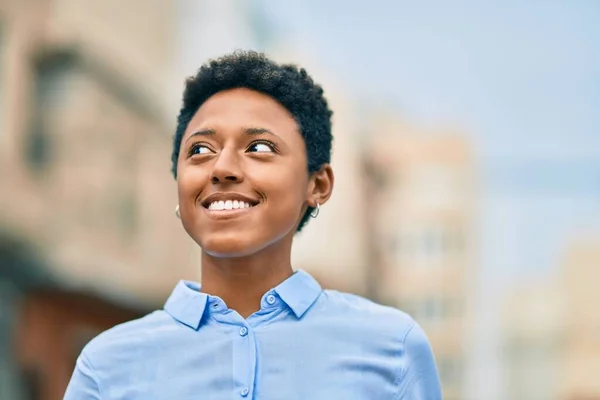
[{"x": 251, "y": 158}]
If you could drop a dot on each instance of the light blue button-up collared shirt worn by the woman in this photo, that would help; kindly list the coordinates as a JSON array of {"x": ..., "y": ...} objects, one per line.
[{"x": 304, "y": 343}]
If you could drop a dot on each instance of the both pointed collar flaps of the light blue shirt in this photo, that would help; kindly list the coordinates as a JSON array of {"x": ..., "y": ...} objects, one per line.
[{"x": 187, "y": 304}]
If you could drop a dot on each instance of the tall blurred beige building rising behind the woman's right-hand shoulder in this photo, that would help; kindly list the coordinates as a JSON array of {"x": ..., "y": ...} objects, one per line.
[{"x": 420, "y": 220}]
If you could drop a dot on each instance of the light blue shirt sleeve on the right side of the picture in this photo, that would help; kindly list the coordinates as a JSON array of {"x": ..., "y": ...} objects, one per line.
[{"x": 420, "y": 380}]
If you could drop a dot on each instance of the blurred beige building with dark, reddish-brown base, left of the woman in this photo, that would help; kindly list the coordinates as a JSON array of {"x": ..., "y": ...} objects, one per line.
[{"x": 88, "y": 235}]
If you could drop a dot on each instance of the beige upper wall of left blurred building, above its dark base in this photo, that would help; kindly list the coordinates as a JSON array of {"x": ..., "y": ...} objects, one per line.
[{"x": 85, "y": 147}]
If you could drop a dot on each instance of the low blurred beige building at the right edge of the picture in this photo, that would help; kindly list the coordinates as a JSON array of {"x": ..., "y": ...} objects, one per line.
[{"x": 552, "y": 331}]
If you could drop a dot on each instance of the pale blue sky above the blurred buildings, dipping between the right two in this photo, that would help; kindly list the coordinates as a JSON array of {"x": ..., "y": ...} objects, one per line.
[{"x": 523, "y": 78}]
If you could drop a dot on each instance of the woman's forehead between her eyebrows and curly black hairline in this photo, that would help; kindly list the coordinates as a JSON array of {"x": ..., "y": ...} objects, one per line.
[{"x": 242, "y": 107}]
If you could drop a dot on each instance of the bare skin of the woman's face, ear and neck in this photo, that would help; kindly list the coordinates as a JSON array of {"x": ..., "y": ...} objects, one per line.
[{"x": 245, "y": 147}]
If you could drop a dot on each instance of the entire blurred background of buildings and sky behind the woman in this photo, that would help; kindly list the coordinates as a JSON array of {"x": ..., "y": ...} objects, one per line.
[{"x": 467, "y": 157}]
